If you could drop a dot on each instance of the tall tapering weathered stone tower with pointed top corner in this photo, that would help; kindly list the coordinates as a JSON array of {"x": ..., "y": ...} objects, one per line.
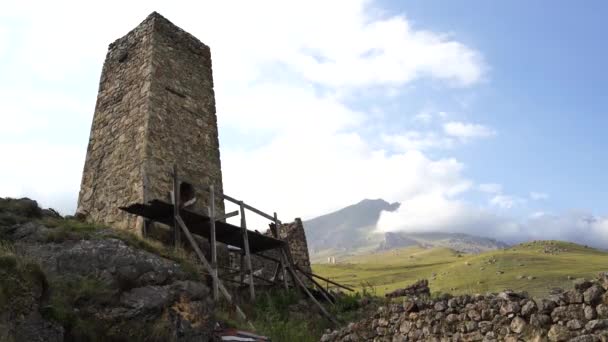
[{"x": 155, "y": 107}]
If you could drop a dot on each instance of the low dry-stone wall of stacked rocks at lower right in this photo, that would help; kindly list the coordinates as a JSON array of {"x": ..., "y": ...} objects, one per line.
[{"x": 579, "y": 314}]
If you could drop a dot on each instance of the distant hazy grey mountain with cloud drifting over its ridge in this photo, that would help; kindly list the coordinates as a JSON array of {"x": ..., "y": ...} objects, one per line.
[{"x": 352, "y": 230}]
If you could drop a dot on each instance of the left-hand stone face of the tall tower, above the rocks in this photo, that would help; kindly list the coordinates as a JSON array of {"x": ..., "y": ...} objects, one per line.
[{"x": 112, "y": 175}]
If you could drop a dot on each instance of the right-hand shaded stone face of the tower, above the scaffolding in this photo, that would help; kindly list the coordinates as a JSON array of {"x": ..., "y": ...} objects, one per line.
[{"x": 182, "y": 123}]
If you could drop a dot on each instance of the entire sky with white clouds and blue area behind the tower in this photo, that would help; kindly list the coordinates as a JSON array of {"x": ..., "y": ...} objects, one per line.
[{"x": 478, "y": 116}]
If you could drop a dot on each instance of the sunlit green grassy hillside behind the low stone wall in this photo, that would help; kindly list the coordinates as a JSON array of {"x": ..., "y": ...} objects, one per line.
[{"x": 535, "y": 267}]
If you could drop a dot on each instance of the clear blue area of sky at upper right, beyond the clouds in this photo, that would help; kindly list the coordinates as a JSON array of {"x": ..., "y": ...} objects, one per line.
[{"x": 546, "y": 93}]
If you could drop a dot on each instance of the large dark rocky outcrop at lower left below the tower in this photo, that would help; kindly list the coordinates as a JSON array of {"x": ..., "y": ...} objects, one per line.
[{"x": 92, "y": 283}]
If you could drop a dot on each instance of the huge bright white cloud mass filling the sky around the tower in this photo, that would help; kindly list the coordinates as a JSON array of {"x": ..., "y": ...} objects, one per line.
[{"x": 281, "y": 71}]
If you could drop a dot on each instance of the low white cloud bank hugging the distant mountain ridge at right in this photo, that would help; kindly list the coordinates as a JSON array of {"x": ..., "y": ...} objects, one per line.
[{"x": 436, "y": 213}]
